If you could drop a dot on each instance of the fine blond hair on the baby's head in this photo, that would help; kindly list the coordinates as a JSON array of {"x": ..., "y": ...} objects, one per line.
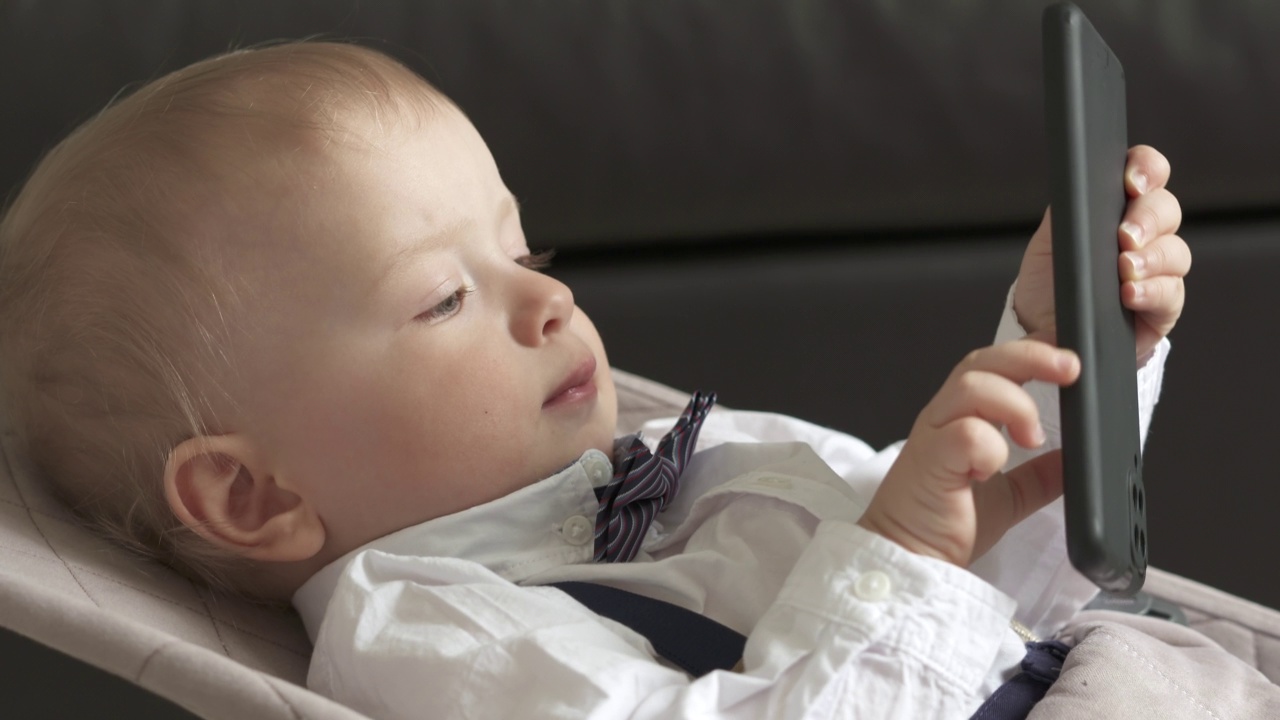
[{"x": 115, "y": 317}]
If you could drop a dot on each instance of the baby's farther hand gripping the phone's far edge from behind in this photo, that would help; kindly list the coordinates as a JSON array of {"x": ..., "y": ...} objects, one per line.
[{"x": 1154, "y": 261}]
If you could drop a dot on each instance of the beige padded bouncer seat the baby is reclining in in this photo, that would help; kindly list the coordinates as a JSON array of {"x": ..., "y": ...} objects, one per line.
[{"x": 227, "y": 659}]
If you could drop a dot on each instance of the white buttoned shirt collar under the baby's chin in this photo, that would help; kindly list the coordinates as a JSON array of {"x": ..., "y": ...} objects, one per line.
[{"x": 516, "y": 536}]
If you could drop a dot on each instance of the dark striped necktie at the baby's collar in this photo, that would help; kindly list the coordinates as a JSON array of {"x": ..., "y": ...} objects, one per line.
[{"x": 644, "y": 484}]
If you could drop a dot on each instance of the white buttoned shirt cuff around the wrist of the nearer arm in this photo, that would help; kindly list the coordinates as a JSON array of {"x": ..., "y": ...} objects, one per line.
[{"x": 902, "y": 603}]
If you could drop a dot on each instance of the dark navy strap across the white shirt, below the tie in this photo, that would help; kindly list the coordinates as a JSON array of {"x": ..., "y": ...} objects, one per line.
[{"x": 693, "y": 642}]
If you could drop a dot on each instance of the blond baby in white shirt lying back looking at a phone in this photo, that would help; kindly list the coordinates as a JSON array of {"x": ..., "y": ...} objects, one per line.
[{"x": 272, "y": 320}]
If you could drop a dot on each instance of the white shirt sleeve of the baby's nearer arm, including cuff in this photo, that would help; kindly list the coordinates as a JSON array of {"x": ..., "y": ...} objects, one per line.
[{"x": 862, "y": 628}]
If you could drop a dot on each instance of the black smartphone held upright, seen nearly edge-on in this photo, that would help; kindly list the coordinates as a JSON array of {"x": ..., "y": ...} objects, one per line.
[{"x": 1086, "y": 124}]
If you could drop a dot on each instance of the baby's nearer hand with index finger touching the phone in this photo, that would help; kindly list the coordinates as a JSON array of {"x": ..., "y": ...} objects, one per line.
[{"x": 945, "y": 496}]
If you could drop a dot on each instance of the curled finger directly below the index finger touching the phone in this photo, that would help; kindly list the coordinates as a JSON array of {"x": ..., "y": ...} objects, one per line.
[{"x": 993, "y": 398}]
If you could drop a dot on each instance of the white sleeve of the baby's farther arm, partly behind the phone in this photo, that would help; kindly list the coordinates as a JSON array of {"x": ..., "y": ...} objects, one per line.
[{"x": 1031, "y": 562}]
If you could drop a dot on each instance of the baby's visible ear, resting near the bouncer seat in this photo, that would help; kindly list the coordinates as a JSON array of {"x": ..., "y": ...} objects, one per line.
[{"x": 221, "y": 489}]
